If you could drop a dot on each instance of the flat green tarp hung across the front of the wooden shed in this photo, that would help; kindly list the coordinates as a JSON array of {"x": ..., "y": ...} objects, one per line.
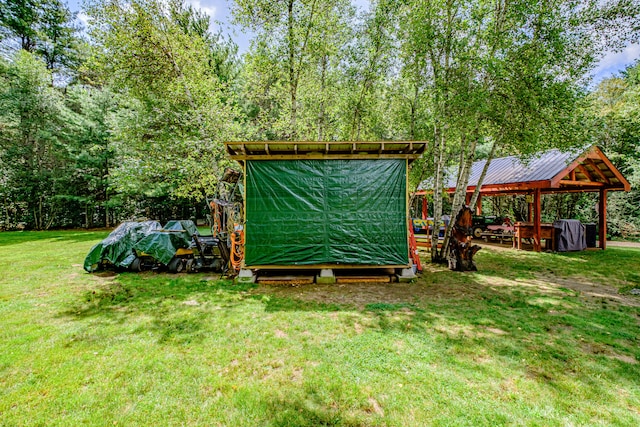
[{"x": 311, "y": 212}]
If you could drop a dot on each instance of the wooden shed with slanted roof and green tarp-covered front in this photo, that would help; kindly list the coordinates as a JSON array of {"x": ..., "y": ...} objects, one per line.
[{"x": 325, "y": 205}]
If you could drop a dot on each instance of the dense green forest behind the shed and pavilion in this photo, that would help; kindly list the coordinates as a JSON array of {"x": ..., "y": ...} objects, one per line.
[{"x": 125, "y": 117}]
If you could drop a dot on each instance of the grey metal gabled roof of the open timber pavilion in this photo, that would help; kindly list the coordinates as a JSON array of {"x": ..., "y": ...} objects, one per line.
[{"x": 551, "y": 171}]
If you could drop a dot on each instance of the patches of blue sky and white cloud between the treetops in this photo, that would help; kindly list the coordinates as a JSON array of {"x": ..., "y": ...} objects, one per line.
[{"x": 219, "y": 11}]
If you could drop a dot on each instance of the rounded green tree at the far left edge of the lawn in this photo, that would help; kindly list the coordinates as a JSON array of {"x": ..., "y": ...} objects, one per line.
[{"x": 32, "y": 145}]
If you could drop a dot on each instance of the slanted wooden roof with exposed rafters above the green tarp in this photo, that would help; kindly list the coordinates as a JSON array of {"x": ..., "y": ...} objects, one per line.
[{"x": 286, "y": 150}]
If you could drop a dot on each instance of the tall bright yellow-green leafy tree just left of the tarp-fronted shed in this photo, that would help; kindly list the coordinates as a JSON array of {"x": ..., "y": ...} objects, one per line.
[{"x": 161, "y": 55}]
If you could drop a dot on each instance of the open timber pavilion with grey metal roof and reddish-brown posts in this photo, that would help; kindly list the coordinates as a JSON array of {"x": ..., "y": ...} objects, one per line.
[{"x": 549, "y": 172}]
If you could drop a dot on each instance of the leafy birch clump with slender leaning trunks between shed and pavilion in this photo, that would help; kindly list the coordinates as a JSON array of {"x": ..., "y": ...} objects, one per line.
[{"x": 507, "y": 72}]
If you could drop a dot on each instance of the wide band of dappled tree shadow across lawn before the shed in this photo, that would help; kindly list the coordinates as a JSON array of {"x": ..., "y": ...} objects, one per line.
[{"x": 504, "y": 310}]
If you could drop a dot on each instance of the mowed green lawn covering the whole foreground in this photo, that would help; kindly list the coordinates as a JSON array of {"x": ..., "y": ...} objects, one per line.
[{"x": 529, "y": 339}]
